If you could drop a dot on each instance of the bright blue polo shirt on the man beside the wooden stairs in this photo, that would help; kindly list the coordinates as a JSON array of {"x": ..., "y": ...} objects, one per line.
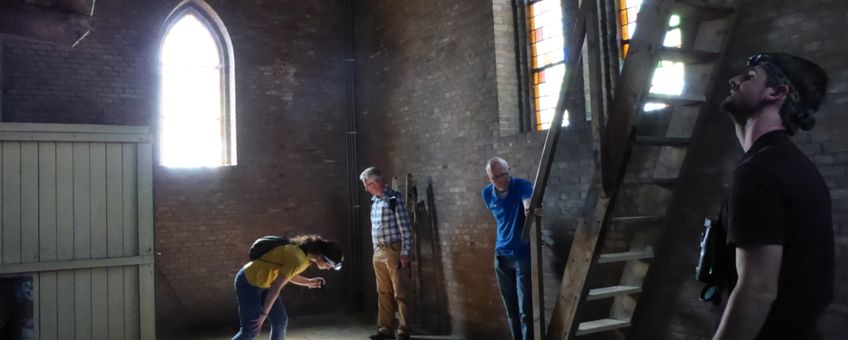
[{"x": 509, "y": 213}]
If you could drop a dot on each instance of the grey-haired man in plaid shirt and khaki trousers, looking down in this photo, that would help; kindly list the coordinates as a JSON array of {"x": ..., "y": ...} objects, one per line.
[{"x": 391, "y": 235}]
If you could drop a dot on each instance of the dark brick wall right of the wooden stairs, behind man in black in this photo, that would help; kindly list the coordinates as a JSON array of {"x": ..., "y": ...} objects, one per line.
[{"x": 811, "y": 29}]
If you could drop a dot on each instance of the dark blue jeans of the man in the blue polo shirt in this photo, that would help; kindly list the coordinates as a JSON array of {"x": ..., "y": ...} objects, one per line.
[{"x": 513, "y": 274}]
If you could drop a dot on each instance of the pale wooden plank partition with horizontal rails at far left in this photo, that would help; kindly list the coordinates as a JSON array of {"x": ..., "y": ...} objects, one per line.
[{"x": 73, "y": 207}]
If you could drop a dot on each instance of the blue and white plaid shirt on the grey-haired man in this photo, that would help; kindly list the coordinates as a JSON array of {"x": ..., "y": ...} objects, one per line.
[{"x": 384, "y": 221}]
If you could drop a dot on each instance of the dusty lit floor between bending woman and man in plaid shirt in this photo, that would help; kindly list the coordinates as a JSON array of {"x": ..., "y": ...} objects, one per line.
[{"x": 326, "y": 327}]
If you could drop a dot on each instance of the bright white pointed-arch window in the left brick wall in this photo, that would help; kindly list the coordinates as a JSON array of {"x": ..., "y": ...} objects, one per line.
[{"x": 197, "y": 115}]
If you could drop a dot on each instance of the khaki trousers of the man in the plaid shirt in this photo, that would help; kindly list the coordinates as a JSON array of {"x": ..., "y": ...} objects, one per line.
[{"x": 391, "y": 288}]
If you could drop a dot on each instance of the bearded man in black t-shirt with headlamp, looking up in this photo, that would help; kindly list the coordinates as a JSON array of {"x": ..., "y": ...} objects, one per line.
[{"x": 778, "y": 211}]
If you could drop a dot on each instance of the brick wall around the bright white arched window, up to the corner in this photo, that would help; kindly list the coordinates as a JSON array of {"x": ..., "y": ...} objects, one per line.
[{"x": 290, "y": 115}]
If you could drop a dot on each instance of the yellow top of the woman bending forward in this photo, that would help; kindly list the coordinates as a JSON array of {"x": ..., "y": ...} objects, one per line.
[{"x": 288, "y": 260}]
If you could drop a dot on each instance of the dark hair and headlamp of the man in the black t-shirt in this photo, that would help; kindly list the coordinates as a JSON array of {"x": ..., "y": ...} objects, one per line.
[{"x": 806, "y": 78}]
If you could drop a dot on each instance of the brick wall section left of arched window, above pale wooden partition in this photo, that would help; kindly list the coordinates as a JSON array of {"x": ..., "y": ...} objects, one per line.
[{"x": 105, "y": 80}]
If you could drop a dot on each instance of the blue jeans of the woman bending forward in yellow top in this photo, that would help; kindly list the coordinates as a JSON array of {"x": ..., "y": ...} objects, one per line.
[{"x": 250, "y": 299}]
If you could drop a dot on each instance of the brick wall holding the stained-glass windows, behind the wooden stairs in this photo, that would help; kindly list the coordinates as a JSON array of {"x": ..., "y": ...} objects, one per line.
[{"x": 430, "y": 96}]
